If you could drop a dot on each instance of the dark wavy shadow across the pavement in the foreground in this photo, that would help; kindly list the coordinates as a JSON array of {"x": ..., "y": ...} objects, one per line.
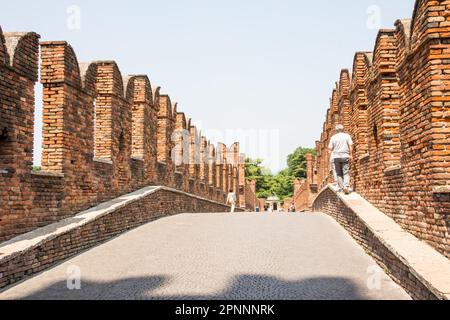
[{"x": 242, "y": 287}]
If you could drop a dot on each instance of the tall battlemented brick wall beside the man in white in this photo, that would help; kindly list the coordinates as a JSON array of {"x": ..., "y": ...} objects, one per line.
[{"x": 396, "y": 105}]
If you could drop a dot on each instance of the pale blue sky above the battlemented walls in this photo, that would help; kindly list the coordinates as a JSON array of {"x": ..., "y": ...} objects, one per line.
[{"x": 235, "y": 64}]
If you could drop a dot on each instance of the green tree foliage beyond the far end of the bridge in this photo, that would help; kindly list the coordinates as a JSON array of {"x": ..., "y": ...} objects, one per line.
[{"x": 281, "y": 185}]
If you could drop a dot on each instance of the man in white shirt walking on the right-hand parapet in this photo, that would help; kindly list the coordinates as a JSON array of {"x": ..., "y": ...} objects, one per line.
[{"x": 341, "y": 152}]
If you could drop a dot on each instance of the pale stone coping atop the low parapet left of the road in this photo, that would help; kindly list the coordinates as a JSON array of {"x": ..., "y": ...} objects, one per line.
[{"x": 28, "y": 241}]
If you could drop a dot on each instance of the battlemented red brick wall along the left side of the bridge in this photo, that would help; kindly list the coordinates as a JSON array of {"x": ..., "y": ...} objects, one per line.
[{"x": 104, "y": 135}]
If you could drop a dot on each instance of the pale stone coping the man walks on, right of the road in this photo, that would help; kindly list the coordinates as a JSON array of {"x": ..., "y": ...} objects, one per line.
[{"x": 424, "y": 262}]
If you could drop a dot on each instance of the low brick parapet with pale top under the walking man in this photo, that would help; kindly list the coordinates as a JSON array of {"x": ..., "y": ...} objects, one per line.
[{"x": 409, "y": 261}]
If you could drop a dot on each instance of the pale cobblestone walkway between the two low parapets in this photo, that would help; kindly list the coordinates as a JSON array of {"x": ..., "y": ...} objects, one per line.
[{"x": 221, "y": 256}]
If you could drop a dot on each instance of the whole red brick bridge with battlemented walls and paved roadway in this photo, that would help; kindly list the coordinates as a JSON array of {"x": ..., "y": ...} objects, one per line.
[{"x": 118, "y": 155}]
